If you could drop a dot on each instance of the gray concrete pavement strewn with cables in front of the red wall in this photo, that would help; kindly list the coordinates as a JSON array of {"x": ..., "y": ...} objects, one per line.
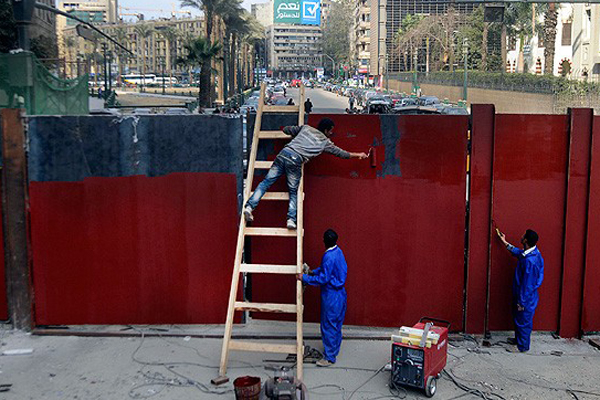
[{"x": 175, "y": 365}]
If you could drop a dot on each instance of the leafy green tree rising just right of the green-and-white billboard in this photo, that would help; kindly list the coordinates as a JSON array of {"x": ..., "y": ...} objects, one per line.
[{"x": 336, "y": 31}]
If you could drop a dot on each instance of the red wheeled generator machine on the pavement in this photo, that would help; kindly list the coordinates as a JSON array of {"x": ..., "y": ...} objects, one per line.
[{"x": 419, "y": 354}]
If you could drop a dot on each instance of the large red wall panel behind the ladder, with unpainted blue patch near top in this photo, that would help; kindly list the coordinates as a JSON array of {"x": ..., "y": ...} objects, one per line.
[{"x": 402, "y": 234}]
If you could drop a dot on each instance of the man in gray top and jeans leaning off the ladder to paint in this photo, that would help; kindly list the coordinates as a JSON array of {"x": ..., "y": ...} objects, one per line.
[{"x": 307, "y": 143}]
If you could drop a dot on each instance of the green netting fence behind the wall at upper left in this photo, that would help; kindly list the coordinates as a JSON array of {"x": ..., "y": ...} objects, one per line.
[{"x": 26, "y": 82}]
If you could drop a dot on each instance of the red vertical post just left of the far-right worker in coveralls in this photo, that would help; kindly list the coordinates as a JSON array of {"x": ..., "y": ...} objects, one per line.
[{"x": 482, "y": 151}]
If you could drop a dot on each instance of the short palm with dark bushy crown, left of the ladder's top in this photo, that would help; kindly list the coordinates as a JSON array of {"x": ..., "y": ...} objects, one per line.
[{"x": 201, "y": 52}]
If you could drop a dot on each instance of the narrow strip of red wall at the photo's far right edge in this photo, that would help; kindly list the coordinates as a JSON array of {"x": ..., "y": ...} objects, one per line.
[{"x": 590, "y": 321}]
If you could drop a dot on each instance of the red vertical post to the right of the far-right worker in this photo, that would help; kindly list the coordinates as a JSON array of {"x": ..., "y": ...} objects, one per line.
[{"x": 576, "y": 222}]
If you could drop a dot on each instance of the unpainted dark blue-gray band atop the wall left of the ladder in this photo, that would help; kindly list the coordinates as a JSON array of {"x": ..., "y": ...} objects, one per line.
[{"x": 71, "y": 148}]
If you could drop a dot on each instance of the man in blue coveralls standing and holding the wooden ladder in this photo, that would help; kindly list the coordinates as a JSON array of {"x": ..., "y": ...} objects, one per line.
[{"x": 331, "y": 277}]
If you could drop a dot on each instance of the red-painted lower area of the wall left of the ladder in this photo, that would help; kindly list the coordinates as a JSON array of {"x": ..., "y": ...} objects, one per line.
[{"x": 133, "y": 250}]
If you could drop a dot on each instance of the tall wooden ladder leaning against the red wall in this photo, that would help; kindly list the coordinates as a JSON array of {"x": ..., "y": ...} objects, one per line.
[{"x": 240, "y": 266}]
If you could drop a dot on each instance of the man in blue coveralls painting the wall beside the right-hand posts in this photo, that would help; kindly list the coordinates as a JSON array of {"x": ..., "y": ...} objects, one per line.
[{"x": 529, "y": 275}]
